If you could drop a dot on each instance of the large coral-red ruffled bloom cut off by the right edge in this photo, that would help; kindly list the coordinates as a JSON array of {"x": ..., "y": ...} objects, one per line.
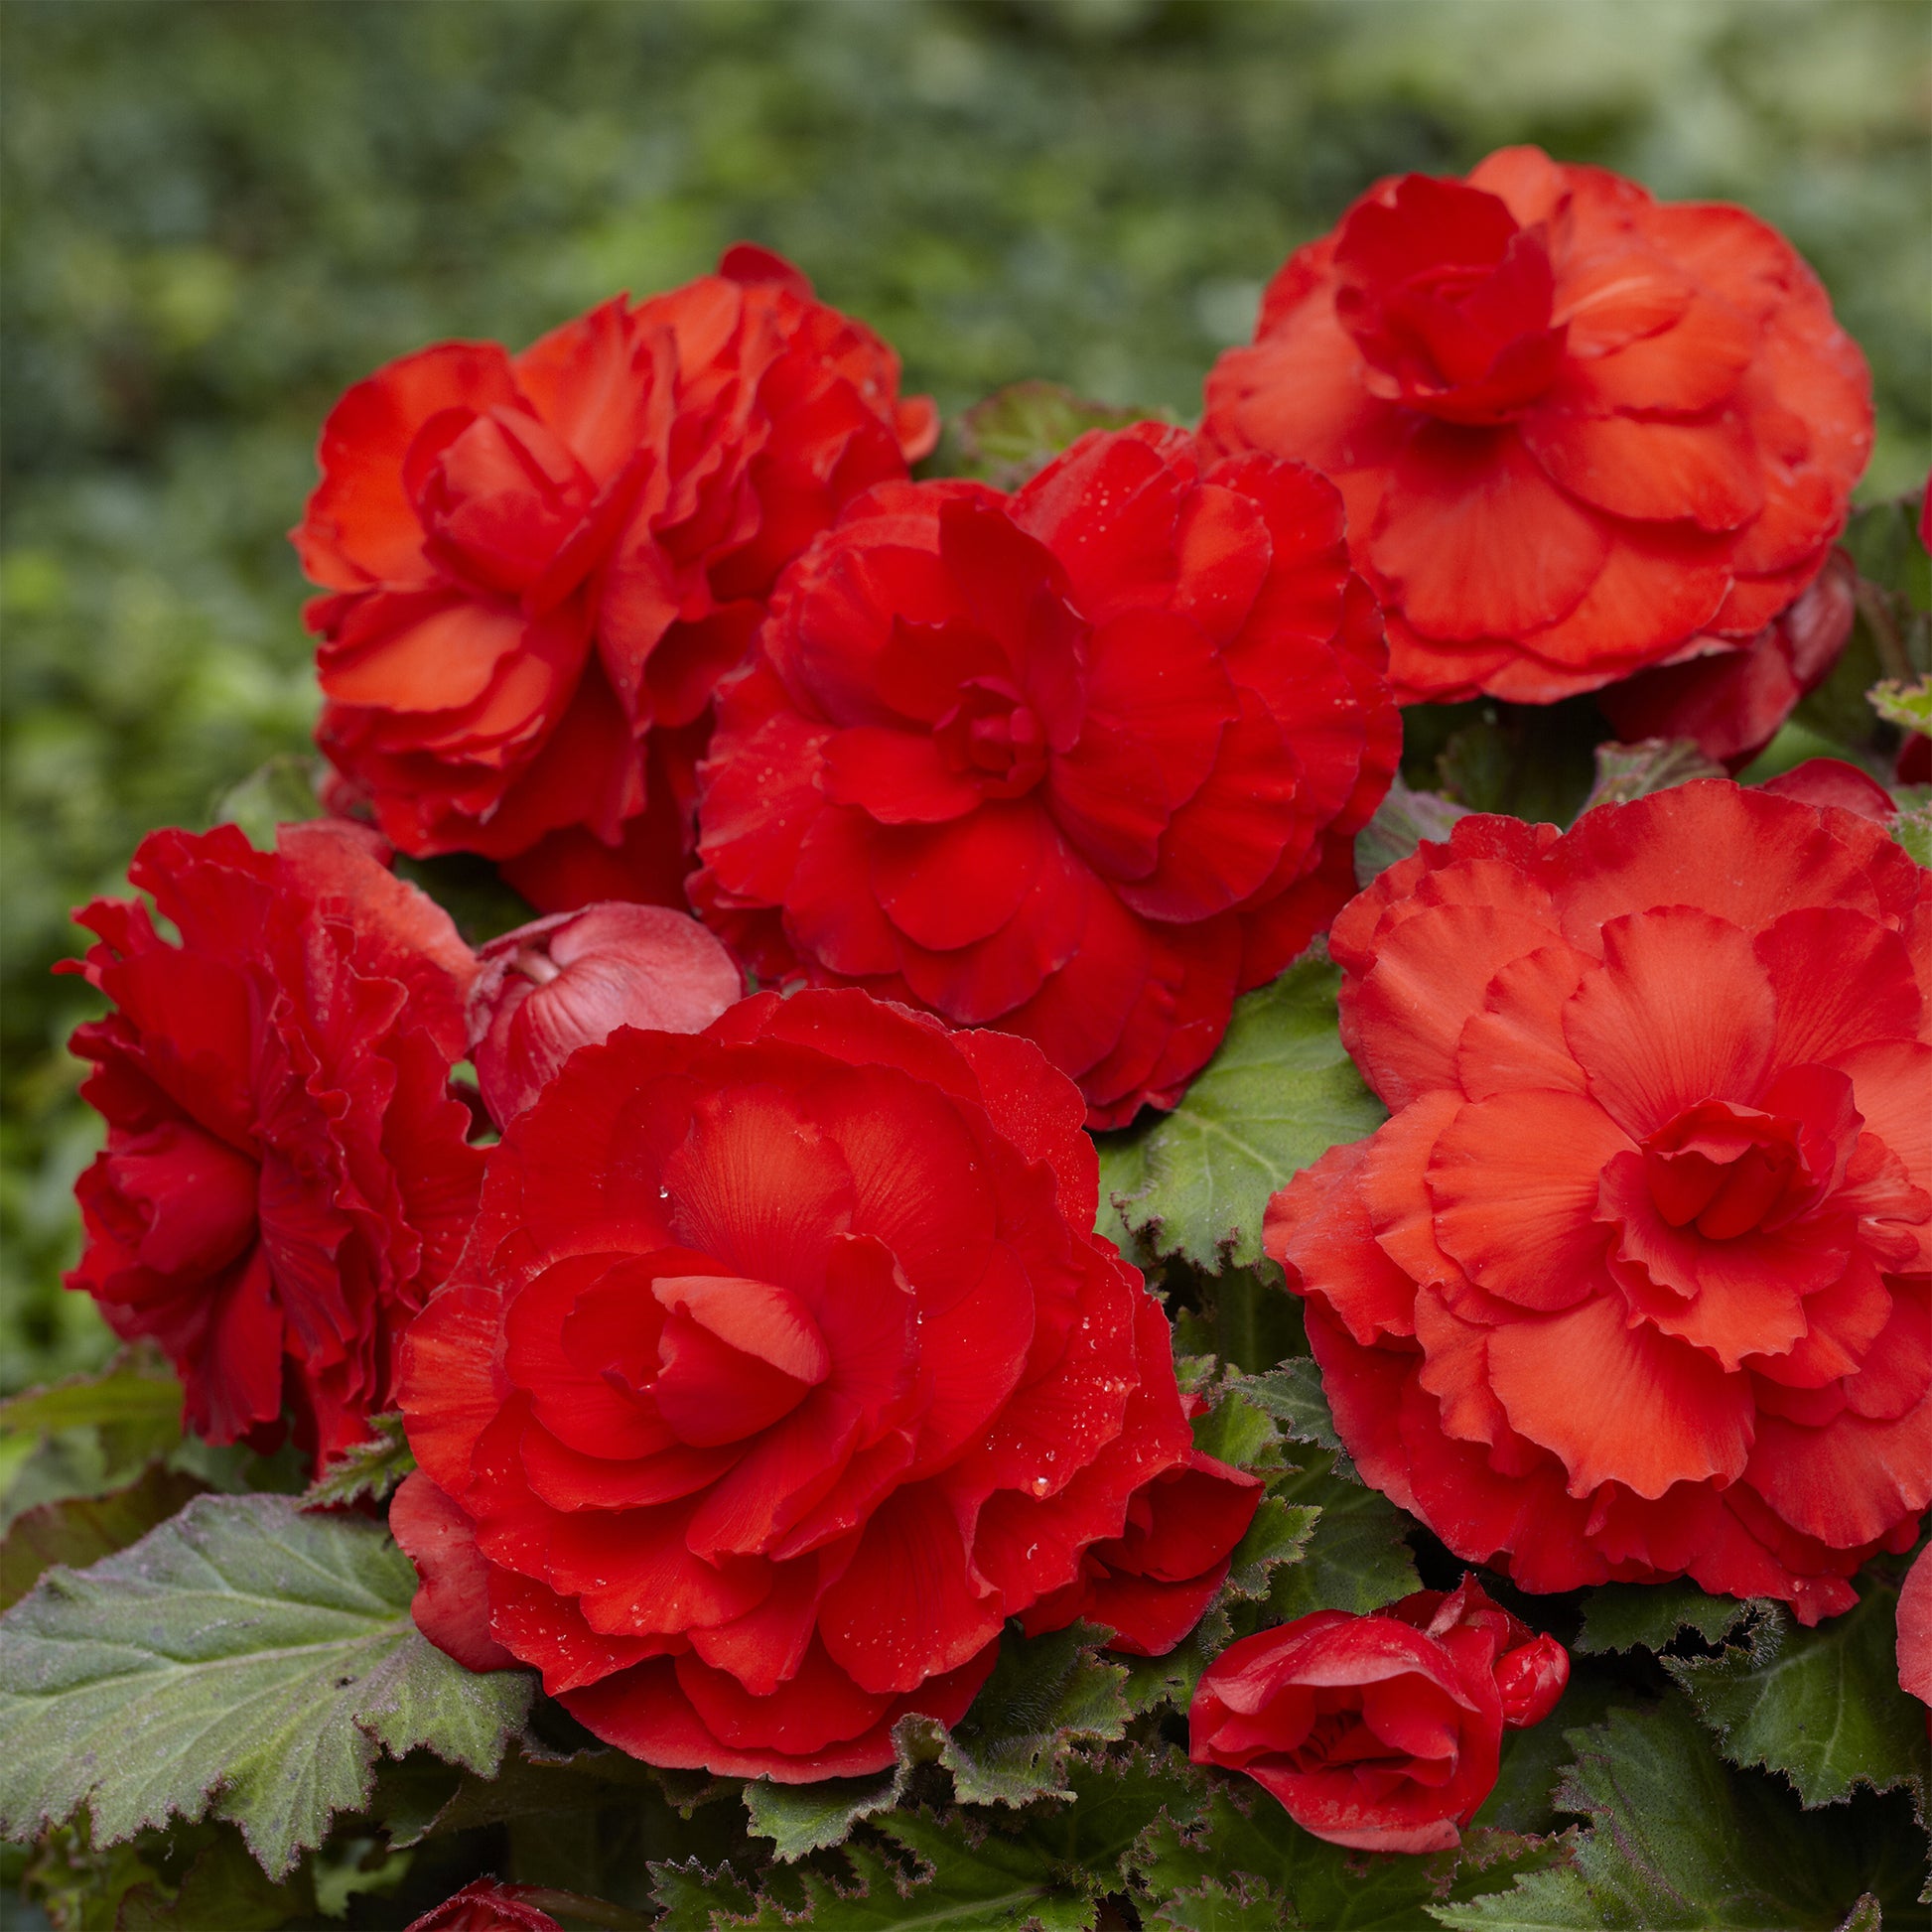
[{"x": 1635, "y": 1280}]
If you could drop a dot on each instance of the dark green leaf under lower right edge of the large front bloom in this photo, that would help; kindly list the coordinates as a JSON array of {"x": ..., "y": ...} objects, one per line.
[{"x": 1046, "y": 1695}]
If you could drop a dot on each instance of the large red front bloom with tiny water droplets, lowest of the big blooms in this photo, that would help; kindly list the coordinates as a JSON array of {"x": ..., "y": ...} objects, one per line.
[{"x": 781, "y": 1369}]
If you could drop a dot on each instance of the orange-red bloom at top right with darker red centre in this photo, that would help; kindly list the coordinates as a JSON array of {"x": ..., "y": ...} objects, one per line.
[{"x": 1579, "y": 432}]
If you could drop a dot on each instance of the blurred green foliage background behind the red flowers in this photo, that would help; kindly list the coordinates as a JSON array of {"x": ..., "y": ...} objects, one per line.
[{"x": 217, "y": 215}]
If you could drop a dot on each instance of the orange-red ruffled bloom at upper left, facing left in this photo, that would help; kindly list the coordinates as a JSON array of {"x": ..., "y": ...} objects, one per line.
[{"x": 540, "y": 565}]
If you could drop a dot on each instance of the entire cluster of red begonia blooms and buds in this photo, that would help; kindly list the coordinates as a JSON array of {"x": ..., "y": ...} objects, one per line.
[{"x": 768, "y": 1363}]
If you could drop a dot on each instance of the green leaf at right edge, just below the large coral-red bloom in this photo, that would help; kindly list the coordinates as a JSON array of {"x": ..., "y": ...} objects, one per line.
[{"x": 1825, "y": 1705}]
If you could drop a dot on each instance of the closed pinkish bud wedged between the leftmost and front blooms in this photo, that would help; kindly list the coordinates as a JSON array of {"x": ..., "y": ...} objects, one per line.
[{"x": 573, "y": 980}]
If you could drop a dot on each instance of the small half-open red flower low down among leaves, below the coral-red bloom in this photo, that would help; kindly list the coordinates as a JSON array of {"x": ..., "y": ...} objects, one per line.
[{"x": 1382, "y": 1732}]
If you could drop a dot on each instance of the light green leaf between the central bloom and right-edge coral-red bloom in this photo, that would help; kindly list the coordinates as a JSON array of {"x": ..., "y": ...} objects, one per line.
[{"x": 1276, "y": 1096}]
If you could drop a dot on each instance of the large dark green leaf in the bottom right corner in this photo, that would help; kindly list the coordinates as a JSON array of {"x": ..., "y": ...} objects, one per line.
[{"x": 1680, "y": 1840}]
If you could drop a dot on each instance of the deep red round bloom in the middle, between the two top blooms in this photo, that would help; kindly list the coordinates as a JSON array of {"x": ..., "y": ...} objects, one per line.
[{"x": 1081, "y": 764}]
